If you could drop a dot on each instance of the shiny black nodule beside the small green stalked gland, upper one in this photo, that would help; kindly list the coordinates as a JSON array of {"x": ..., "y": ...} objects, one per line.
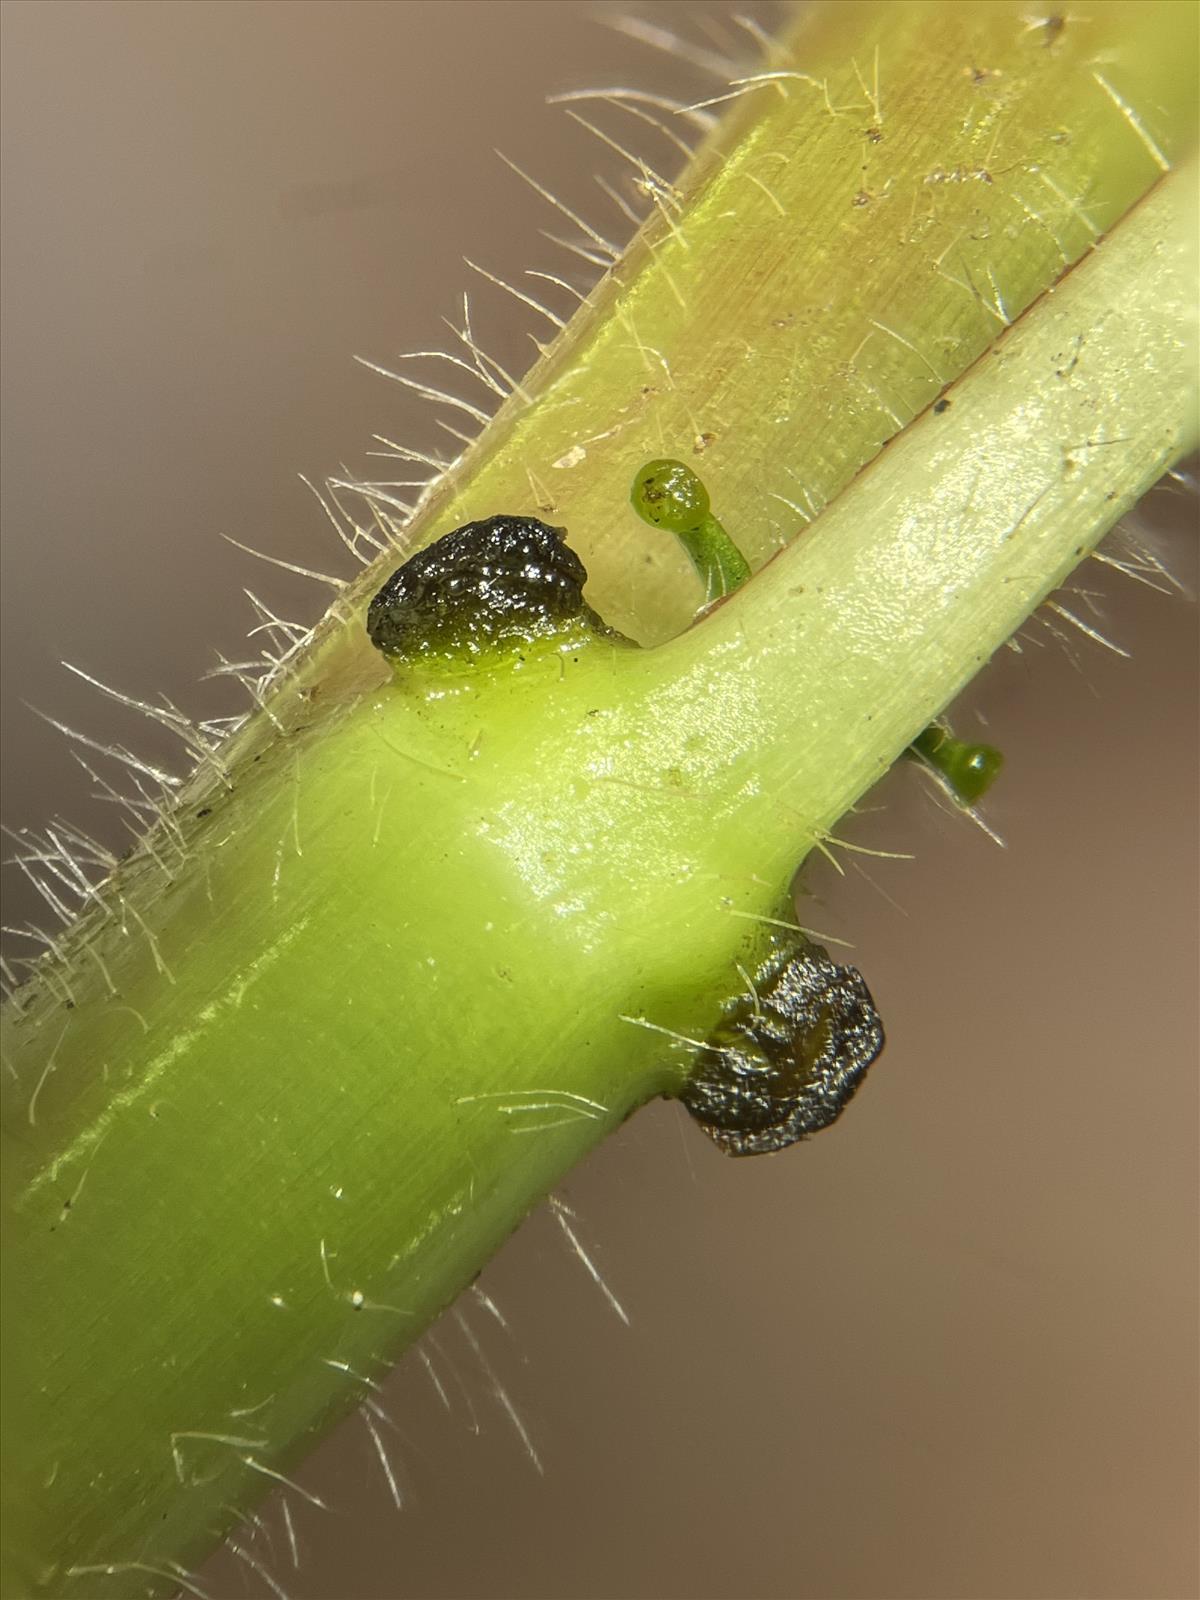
[{"x": 484, "y": 590}]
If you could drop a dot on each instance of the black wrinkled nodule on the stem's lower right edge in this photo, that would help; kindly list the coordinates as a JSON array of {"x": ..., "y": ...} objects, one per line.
[{"x": 786, "y": 1060}]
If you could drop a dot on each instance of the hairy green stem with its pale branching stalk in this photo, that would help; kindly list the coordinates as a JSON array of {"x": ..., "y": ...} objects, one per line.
[{"x": 380, "y": 986}]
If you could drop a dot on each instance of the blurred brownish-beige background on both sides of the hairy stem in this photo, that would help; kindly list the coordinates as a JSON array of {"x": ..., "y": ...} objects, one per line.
[{"x": 945, "y": 1351}]
